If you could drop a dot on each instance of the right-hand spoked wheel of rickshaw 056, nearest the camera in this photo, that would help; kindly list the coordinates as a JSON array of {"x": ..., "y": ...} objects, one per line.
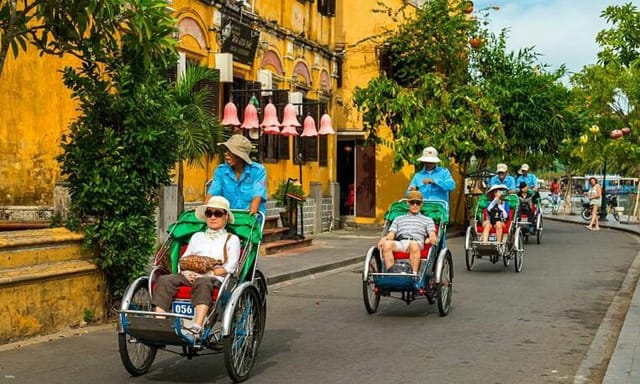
[{"x": 241, "y": 345}]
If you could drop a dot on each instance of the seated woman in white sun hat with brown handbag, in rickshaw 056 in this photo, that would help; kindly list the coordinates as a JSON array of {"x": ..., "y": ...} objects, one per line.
[{"x": 216, "y": 244}]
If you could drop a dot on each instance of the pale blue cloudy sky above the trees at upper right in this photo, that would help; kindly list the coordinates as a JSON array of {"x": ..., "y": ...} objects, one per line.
[{"x": 562, "y": 31}]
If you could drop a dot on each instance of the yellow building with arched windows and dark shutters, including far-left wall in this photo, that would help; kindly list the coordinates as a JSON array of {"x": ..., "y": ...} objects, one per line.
[{"x": 278, "y": 51}]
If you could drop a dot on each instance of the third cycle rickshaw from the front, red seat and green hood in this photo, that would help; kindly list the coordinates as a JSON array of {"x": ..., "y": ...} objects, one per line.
[{"x": 512, "y": 245}]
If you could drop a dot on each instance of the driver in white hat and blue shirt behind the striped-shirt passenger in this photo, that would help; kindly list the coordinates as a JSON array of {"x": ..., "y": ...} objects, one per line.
[{"x": 433, "y": 181}]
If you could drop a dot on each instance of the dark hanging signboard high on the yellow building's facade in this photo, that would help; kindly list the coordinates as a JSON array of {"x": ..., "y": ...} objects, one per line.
[{"x": 240, "y": 40}]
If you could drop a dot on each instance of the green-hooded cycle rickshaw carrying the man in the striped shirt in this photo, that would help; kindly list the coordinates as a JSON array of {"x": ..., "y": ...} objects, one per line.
[{"x": 433, "y": 281}]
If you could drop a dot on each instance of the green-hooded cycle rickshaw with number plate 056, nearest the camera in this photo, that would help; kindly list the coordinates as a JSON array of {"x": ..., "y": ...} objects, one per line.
[{"x": 235, "y": 322}]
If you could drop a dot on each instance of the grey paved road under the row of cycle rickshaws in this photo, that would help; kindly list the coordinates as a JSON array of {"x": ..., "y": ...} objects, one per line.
[{"x": 504, "y": 327}]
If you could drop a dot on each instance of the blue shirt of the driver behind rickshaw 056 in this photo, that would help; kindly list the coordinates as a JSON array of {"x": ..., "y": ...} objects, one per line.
[{"x": 252, "y": 183}]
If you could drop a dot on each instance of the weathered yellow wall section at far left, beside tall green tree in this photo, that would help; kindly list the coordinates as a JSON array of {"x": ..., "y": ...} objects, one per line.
[{"x": 35, "y": 109}]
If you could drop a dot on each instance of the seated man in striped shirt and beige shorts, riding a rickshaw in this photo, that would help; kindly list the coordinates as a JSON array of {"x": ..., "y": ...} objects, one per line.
[{"x": 408, "y": 233}]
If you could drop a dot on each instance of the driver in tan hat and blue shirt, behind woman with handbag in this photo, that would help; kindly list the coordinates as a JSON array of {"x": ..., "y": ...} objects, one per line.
[{"x": 241, "y": 181}]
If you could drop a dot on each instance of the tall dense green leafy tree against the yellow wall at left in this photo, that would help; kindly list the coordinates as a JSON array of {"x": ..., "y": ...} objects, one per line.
[{"x": 123, "y": 145}]
